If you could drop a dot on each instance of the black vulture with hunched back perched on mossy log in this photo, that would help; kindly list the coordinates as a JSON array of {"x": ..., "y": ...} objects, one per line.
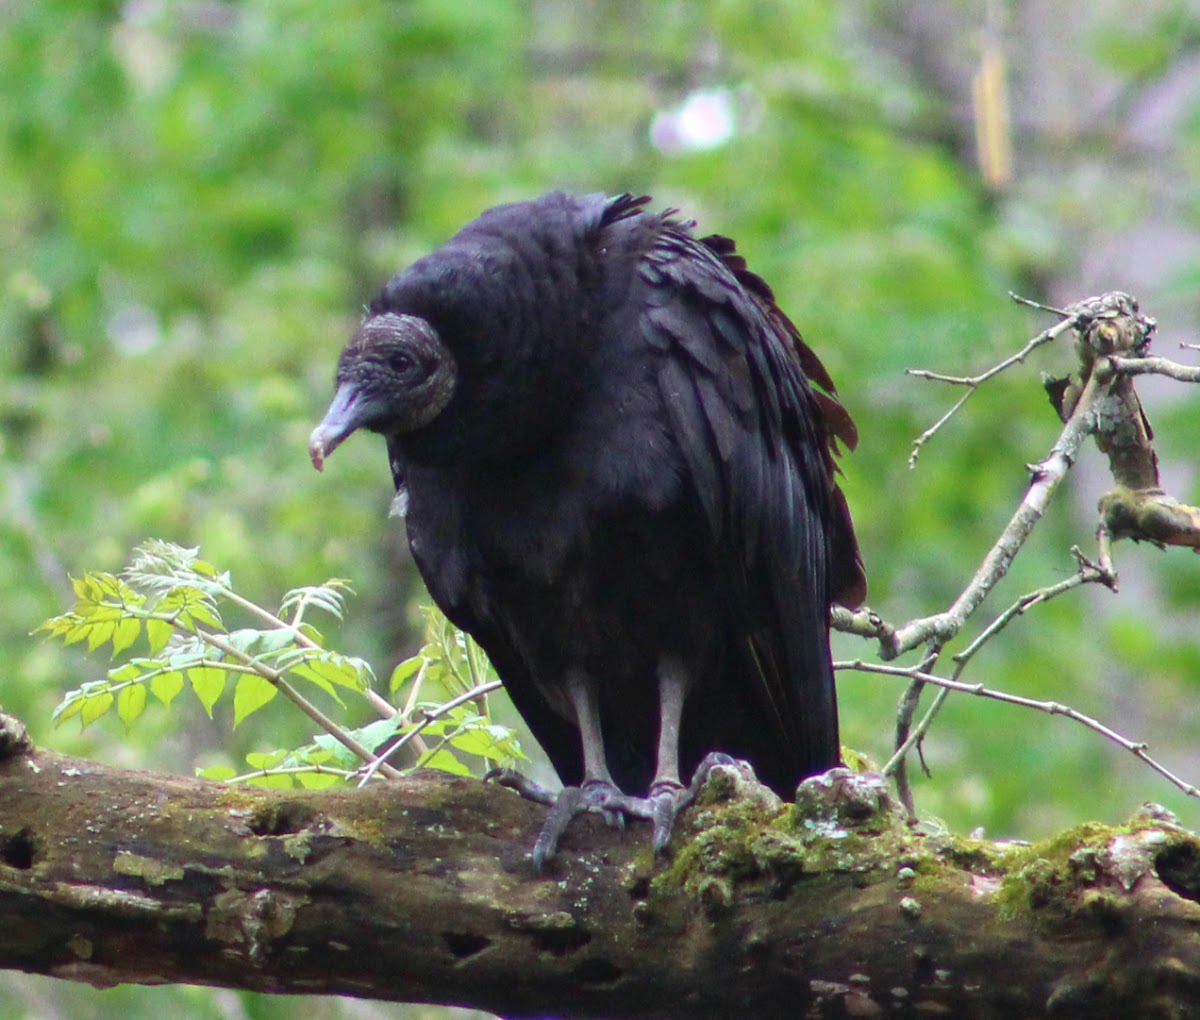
[{"x": 617, "y": 464}]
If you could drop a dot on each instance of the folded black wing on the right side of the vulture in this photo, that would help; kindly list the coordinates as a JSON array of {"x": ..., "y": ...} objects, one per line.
[{"x": 758, "y": 440}]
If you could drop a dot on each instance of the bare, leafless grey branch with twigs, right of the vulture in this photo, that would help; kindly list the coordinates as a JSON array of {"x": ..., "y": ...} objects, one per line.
[{"x": 1102, "y": 404}]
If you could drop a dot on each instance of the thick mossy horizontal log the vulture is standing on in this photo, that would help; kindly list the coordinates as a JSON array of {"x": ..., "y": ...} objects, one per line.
[{"x": 423, "y": 890}]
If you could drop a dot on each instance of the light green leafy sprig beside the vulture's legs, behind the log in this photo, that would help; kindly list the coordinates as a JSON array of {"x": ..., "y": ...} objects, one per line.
[{"x": 176, "y": 604}]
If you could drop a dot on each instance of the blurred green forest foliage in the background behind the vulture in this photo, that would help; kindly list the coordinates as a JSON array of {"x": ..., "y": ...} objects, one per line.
[{"x": 197, "y": 200}]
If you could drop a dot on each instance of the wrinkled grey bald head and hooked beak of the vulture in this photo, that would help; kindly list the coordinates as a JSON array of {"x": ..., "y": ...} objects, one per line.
[{"x": 394, "y": 377}]
